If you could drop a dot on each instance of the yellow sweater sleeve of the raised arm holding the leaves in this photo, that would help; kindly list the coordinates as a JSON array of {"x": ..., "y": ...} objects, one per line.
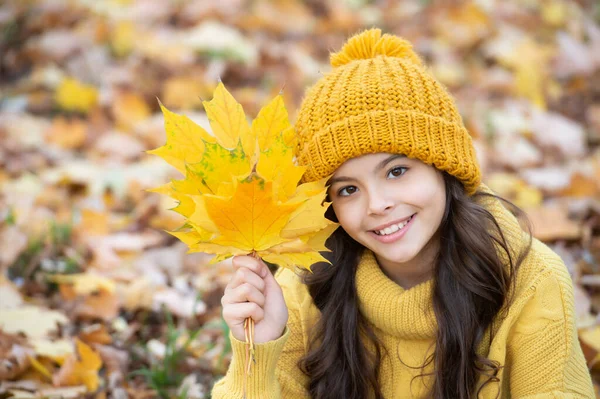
[{"x": 275, "y": 375}]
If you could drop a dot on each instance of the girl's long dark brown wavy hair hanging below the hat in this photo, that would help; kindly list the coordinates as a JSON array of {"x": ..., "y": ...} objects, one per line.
[{"x": 473, "y": 276}]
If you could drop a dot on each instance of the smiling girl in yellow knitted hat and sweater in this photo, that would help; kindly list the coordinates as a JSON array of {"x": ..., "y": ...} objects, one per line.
[{"x": 435, "y": 290}]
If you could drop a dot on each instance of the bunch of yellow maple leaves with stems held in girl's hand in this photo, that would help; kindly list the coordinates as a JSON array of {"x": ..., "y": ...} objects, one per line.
[{"x": 241, "y": 193}]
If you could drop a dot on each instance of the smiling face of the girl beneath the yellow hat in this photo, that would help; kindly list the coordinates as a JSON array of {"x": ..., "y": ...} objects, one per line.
[{"x": 375, "y": 191}]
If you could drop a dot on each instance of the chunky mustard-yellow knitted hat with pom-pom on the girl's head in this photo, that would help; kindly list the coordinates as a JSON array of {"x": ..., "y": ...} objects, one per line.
[{"x": 379, "y": 97}]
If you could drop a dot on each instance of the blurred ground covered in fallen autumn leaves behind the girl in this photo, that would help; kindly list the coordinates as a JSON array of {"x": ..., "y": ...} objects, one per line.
[{"x": 97, "y": 301}]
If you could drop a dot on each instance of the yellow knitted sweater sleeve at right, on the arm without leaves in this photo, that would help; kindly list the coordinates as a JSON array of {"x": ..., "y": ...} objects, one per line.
[{"x": 544, "y": 357}]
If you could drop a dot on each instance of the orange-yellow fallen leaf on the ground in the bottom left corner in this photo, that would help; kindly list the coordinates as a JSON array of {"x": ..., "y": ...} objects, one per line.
[{"x": 80, "y": 369}]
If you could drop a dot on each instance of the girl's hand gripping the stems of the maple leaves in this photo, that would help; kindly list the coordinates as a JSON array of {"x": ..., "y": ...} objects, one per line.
[{"x": 254, "y": 292}]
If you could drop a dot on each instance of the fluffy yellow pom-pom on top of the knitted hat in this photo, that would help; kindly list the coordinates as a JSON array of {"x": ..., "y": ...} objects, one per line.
[{"x": 369, "y": 44}]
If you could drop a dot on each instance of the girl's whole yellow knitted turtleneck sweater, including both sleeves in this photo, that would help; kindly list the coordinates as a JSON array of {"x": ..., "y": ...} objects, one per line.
[{"x": 536, "y": 342}]
